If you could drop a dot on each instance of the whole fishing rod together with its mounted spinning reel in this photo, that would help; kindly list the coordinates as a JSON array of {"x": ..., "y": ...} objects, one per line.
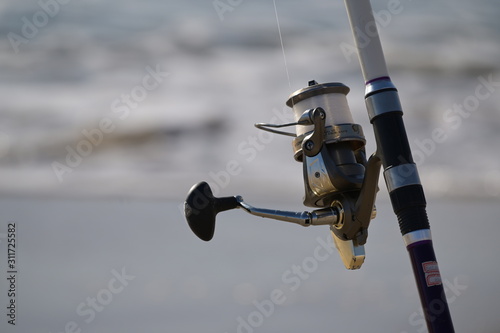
[{"x": 339, "y": 181}]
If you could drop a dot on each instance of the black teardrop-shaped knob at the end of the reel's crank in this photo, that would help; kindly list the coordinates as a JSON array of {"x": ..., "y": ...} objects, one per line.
[{"x": 201, "y": 207}]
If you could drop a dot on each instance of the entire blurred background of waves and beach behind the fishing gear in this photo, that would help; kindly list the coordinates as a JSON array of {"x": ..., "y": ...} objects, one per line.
[{"x": 112, "y": 110}]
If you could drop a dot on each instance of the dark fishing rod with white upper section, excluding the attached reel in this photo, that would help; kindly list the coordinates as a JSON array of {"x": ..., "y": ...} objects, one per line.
[{"x": 400, "y": 171}]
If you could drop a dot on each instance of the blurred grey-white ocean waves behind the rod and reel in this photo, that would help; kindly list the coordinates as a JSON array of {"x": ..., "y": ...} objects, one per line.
[{"x": 65, "y": 68}]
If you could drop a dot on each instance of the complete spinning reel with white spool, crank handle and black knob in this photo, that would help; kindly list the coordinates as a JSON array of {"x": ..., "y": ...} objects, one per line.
[{"x": 339, "y": 181}]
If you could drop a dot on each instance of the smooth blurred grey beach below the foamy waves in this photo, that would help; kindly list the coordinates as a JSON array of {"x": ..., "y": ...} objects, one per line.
[{"x": 130, "y": 266}]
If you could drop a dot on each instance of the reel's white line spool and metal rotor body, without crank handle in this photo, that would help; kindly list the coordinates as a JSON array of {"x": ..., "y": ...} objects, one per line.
[{"x": 332, "y": 149}]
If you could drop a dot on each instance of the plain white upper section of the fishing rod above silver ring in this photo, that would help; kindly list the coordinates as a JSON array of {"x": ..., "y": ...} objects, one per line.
[{"x": 364, "y": 29}]
